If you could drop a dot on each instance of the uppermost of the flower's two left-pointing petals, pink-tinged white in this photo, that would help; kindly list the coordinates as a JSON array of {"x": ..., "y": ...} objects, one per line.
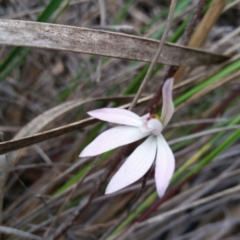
[{"x": 117, "y": 115}]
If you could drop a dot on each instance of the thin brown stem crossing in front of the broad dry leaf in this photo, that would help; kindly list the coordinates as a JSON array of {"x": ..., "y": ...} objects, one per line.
[{"x": 154, "y": 61}]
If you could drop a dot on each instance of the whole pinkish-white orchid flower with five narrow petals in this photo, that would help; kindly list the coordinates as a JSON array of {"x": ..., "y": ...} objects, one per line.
[{"x": 134, "y": 128}]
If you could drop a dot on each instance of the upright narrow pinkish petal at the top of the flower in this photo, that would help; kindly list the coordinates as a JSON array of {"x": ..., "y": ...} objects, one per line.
[{"x": 168, "y": 107}]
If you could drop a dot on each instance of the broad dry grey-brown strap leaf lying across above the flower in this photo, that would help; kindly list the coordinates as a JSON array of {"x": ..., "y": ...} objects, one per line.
[{"x": 84, "y": 40}]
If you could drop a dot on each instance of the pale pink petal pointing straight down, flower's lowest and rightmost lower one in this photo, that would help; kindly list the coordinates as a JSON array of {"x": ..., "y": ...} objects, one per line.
[{"x": 165, "y": 165}]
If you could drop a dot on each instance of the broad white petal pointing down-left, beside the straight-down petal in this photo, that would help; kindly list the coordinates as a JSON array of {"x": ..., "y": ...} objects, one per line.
[{"x": 136, "y": 165}]
